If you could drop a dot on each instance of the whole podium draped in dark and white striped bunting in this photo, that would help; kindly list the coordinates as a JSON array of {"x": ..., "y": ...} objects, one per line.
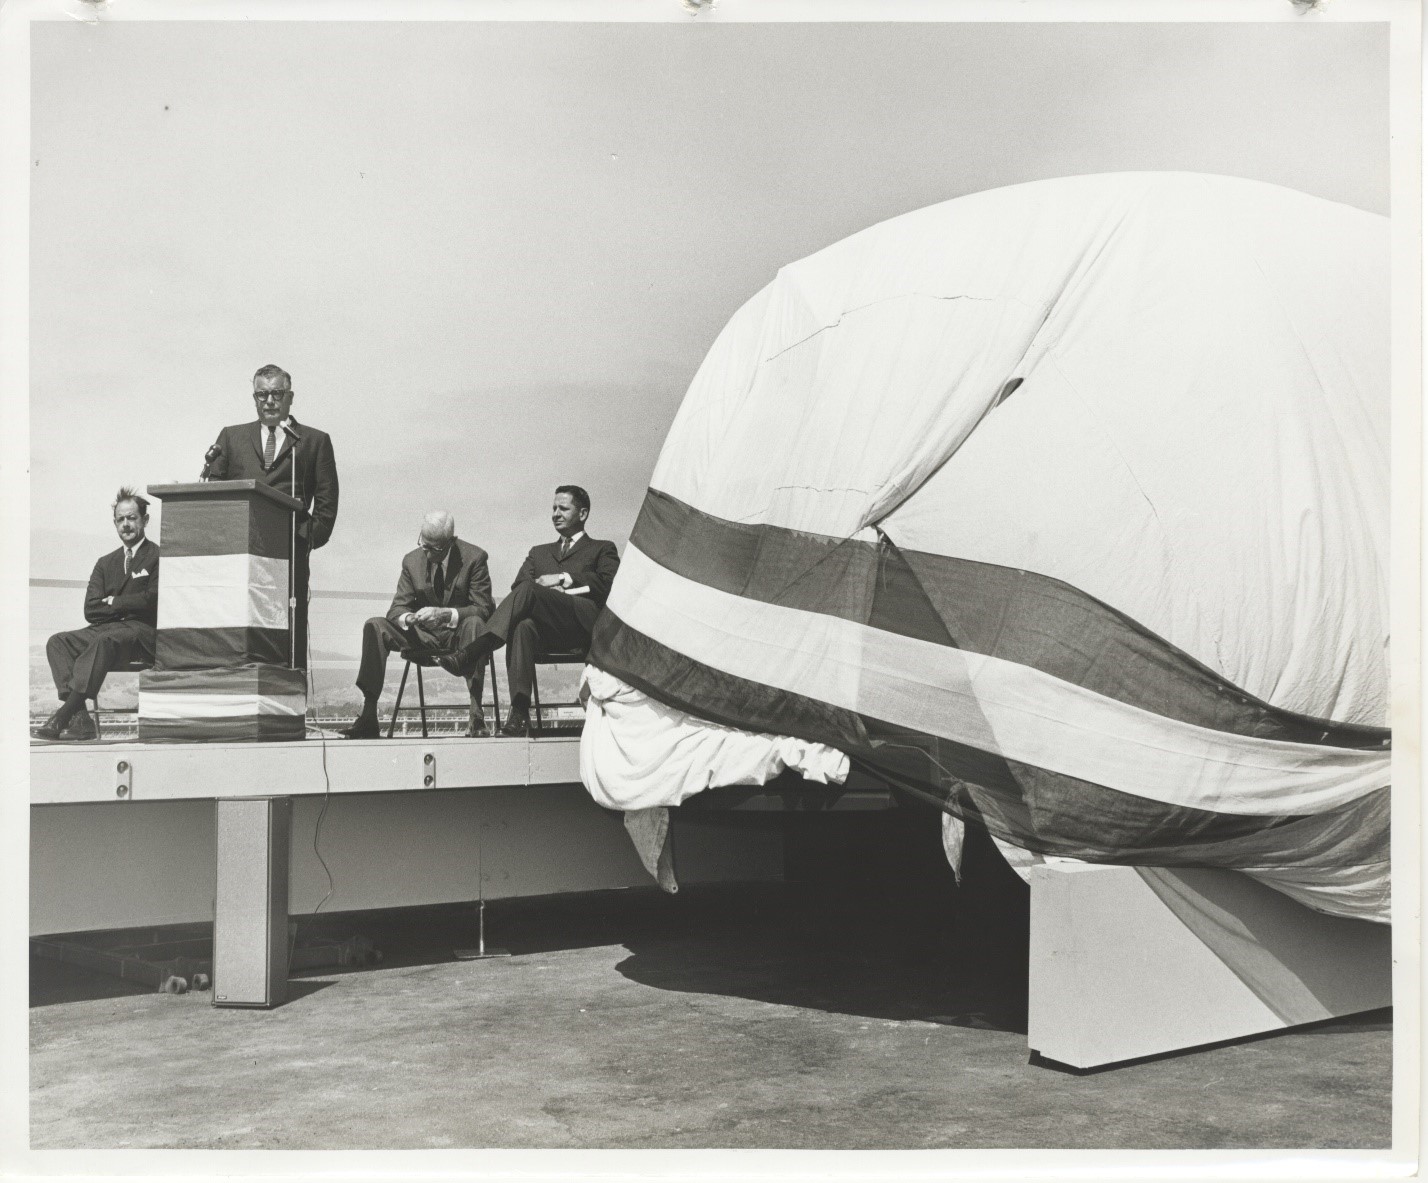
[{"x": 223, "y": 668}]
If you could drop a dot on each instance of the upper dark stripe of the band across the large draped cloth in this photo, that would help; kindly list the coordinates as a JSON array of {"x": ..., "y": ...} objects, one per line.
[{"x": 1020, "y": 617}]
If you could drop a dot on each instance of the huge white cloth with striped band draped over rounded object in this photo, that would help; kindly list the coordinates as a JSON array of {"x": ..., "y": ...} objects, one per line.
[{"x": 1065, "y": 506}]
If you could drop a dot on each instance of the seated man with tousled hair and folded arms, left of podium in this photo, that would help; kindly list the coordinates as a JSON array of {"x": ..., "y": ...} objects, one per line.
[{"x": 122, "y": 608}]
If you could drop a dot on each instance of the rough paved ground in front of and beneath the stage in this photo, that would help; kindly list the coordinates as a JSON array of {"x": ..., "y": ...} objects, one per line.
[{"x": 753, "y": 1017}]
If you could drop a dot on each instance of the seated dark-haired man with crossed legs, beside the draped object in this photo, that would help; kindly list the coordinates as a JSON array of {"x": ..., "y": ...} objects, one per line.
[{"x": 553, "y": 604}]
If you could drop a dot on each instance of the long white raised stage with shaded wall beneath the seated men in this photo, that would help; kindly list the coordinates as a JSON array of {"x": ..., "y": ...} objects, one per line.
[{"x": 106, "y": 861}]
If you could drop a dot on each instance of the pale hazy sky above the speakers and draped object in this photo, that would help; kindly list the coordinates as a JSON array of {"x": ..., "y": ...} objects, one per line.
[{"x": 493, "y": 255}]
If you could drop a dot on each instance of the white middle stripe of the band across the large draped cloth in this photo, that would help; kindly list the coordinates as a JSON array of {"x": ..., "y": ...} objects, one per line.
[{"x": 989, "y": 704}]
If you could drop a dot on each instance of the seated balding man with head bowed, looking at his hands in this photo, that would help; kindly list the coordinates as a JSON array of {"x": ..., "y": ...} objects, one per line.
[{"x": 443, "y": 595}]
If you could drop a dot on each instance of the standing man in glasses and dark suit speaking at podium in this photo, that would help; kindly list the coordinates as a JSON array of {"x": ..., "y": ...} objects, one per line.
[{"x": 292, "y": 458}]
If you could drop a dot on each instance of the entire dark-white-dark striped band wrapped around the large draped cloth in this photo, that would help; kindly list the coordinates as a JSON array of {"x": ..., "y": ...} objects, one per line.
[{"x": 1003, "y": 697}]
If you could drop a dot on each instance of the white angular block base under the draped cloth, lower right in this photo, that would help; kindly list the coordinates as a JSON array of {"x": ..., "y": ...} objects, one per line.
[{"x": 1133, "y": 962}]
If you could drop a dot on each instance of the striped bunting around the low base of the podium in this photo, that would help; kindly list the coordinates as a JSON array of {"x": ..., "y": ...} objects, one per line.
[{"x": 239, "y": 704}]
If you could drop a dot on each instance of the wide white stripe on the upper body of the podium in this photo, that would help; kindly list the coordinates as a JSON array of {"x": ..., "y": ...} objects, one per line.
[{"x": 223, "y": 592}]
